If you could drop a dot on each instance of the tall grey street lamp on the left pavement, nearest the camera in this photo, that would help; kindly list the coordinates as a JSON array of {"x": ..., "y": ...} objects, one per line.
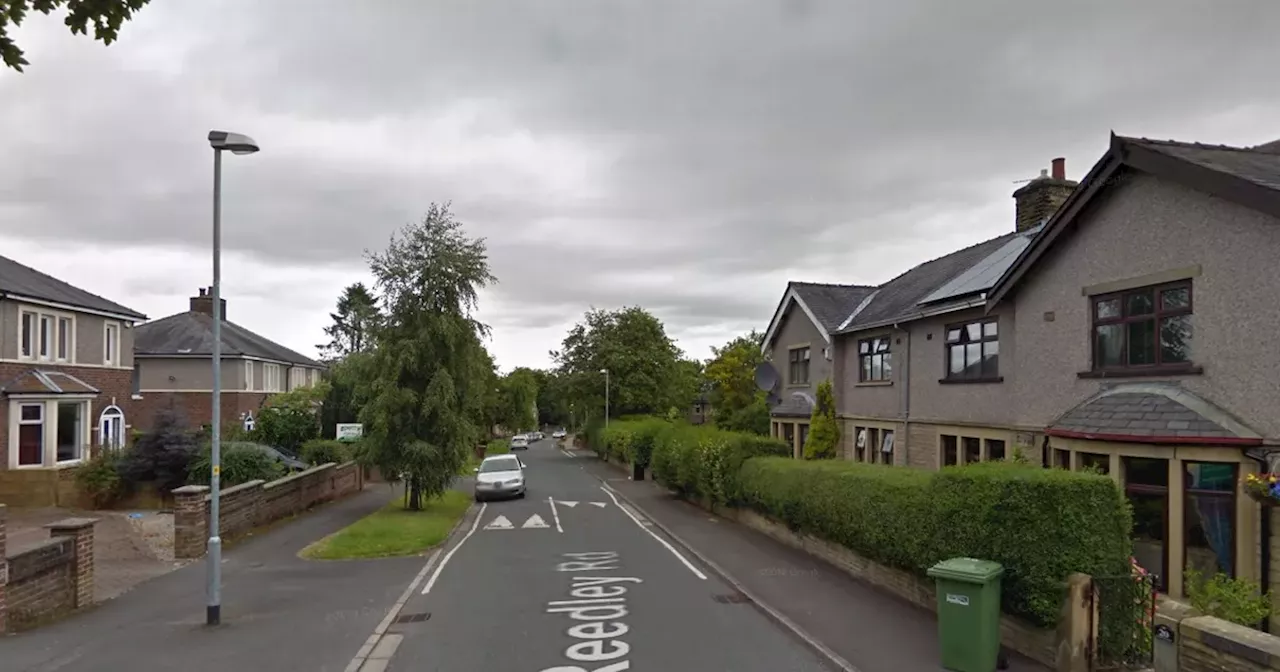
[{"x": 236, "y": 144}]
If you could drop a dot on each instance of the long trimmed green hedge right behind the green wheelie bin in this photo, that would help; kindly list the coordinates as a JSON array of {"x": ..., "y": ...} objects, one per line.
[{"x": 1040, "y": 524}]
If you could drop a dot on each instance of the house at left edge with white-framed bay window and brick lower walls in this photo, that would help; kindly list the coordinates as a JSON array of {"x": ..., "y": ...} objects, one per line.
[{"x": 66, "y": 380}]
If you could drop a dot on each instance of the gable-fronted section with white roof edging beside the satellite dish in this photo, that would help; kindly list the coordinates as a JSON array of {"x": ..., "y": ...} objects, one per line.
[{"x": 799, "y": 344}]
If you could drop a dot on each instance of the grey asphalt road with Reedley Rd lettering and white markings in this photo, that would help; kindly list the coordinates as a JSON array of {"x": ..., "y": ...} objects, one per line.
[{"x": 574, "y": 584}]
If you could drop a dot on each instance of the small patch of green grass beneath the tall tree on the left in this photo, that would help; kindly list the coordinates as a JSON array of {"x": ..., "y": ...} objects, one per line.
[{"x": 394, "y": 532}]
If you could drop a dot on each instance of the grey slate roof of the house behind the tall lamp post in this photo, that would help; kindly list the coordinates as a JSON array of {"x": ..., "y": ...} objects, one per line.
[{"x": 191, "y": 333}]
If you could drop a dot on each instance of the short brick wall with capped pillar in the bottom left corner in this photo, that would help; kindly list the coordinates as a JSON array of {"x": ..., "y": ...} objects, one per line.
[{"x": 48, "y": 580}]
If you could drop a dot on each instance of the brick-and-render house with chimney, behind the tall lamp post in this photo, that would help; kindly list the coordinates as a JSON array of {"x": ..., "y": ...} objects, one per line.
[{"x": 175, "y": 367}]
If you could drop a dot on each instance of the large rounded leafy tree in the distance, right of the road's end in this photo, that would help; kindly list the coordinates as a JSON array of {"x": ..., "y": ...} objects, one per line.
[{"x": 643, "y": 363}]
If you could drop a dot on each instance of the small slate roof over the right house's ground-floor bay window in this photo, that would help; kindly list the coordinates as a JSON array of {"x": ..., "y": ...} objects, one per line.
[{"x": 1155, "y": 413}]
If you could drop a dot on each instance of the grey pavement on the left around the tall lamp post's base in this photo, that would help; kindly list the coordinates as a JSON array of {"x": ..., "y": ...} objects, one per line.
[{"x": 280, "y": 612}]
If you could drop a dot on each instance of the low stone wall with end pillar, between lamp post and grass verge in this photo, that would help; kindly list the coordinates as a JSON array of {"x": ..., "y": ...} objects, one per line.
[{"x": 255, "y": 504}]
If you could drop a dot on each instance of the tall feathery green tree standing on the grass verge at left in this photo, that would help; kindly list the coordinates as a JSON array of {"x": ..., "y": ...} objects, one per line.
[{"x": 428, "y": 386}]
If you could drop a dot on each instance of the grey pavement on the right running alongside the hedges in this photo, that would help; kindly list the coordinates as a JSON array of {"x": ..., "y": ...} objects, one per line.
[{"x": 857, "y": 627}]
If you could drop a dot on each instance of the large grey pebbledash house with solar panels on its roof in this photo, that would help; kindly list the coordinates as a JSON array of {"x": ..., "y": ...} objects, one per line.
[{"x": 1127, "y": 326}]
